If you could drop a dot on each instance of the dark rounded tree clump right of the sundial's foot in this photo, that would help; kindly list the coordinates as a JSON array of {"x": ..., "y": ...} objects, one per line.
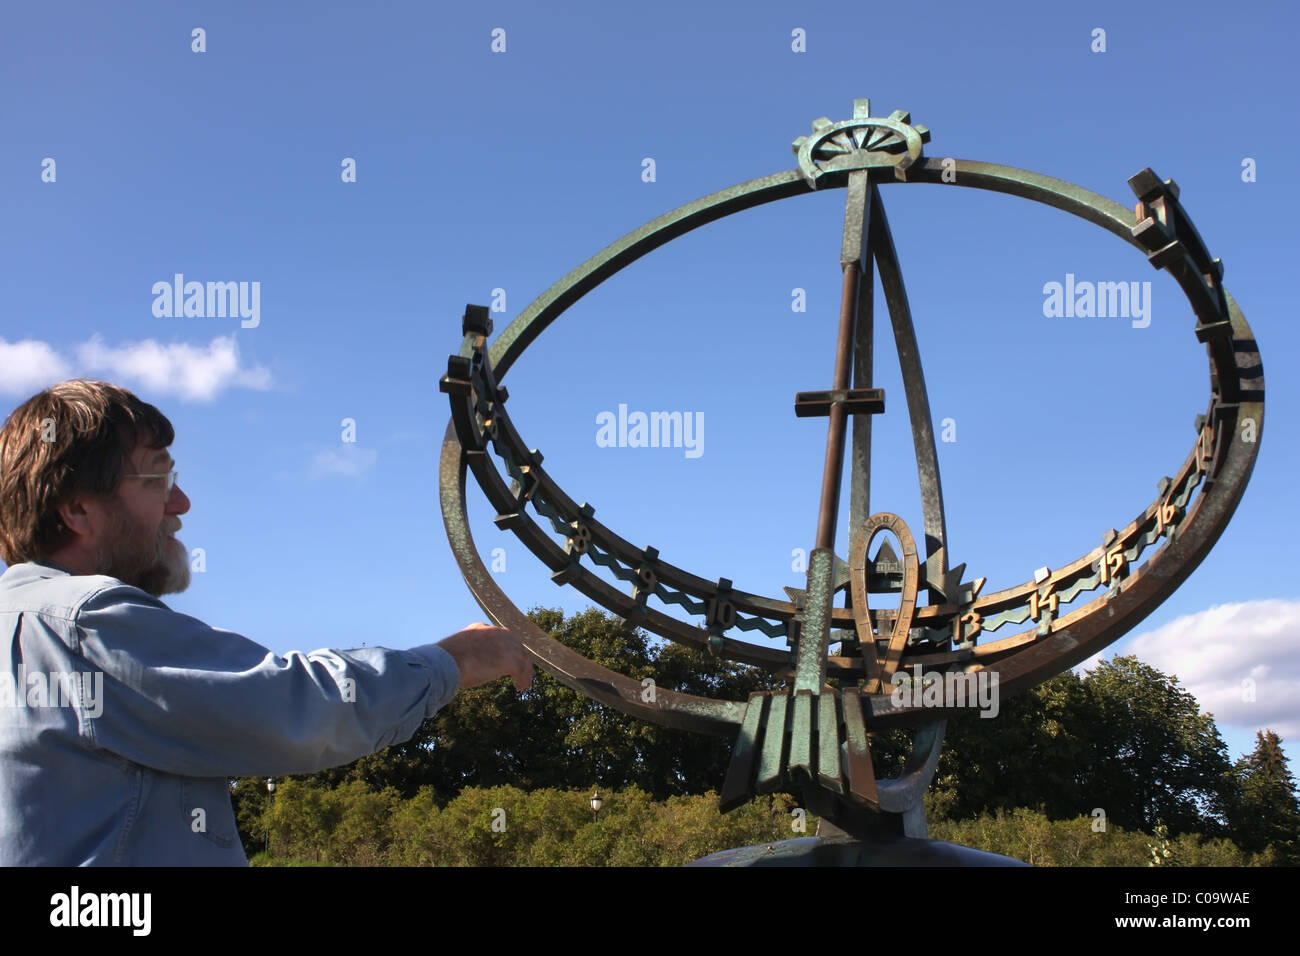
[{"x": 1126, "y": 739}]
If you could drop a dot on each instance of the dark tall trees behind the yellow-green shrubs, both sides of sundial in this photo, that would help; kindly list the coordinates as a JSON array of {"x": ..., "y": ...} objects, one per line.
[{"x": 1126, "y": 739}]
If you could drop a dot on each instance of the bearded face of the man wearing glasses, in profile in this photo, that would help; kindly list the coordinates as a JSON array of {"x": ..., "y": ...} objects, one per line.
[{"x": 138, "y": 544}]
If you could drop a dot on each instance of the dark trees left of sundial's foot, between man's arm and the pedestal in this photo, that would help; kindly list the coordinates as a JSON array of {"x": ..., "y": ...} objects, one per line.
[{"x": 552, "y": 737}]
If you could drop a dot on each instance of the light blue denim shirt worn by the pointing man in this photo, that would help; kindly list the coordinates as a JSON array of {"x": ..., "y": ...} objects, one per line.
[{"x": 123, "y": 720}]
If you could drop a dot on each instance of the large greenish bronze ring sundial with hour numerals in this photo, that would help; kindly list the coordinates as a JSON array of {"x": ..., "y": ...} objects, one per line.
[{"x": 951, "y": 638}]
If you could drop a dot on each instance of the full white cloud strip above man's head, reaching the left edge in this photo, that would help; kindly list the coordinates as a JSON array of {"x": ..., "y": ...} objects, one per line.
[{"x": 193, "y": 374}]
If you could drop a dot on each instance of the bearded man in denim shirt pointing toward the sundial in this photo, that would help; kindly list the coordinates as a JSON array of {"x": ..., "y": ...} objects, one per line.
[{"x": 123, "y": 720}]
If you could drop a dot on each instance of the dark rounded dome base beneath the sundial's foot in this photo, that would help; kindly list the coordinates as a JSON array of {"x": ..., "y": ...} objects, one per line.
[{"x": 881, "y": 851}]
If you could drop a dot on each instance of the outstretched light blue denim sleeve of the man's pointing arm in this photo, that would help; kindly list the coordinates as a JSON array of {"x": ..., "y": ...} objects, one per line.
[{"x": 194, "y": 700}]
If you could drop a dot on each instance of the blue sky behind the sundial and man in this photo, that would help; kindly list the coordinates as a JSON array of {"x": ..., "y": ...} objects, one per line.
[{"x": 369, "y": 170}]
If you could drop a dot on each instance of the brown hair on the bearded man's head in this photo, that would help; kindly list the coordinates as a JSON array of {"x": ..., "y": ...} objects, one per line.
[{"x": 72, "y": 439}]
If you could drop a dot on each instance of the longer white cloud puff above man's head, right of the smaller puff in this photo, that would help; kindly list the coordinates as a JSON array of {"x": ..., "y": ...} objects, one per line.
[{"x": 193, "y": 374}]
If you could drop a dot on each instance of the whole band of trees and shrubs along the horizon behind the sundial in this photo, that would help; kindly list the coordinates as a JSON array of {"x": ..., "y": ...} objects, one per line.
[{"x": 1124, "y": 751}]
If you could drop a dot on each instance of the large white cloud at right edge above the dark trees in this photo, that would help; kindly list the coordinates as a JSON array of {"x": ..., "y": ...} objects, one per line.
[{"x": 1214, "y": 652}]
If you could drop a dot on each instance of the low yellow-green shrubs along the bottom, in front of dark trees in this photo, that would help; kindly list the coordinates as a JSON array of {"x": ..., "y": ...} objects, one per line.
[{"x": 505, "y": 827}]
